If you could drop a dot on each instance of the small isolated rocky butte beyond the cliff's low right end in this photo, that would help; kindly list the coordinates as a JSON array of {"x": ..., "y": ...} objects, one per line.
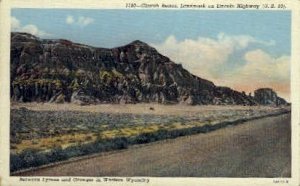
[{"x": 267, "y": 96}]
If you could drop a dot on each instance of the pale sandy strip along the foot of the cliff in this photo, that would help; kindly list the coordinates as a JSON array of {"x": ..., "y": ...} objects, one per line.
[{"x": 140, "y": 108}]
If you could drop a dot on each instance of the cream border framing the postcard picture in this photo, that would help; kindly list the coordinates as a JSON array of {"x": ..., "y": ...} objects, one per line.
[{"x": 5, "y": 8}]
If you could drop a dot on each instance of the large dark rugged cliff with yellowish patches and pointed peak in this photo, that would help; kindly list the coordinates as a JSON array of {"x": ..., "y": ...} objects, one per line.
[{"x": 62, "y": 71}]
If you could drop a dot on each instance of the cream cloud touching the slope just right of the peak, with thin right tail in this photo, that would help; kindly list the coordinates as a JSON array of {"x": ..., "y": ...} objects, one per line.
[{"x": 203, "y": 55}]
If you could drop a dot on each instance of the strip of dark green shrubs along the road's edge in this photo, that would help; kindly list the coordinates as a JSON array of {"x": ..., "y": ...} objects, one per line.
[{"x": 33, "y": 158}]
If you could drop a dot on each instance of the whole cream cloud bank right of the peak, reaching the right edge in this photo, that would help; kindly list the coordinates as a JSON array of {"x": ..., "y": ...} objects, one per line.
[{"x": 207, "y": 57}]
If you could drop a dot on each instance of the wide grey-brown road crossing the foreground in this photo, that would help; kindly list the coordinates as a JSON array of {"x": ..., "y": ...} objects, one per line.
[{"x": 258, "y": 148}]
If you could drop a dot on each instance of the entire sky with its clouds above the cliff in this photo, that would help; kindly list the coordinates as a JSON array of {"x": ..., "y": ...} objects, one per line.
[{"x": 240, "y": 36}]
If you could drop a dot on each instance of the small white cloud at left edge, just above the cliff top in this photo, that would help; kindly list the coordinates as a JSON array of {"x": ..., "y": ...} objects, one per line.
[{"x": 30, "y": 28}]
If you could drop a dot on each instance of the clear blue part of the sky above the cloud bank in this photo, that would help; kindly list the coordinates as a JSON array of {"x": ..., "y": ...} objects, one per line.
[{"x": 116, "y": 27}]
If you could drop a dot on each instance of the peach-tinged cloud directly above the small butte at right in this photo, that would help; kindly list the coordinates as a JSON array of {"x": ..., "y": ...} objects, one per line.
[{"x": 263, "y": 70}]
